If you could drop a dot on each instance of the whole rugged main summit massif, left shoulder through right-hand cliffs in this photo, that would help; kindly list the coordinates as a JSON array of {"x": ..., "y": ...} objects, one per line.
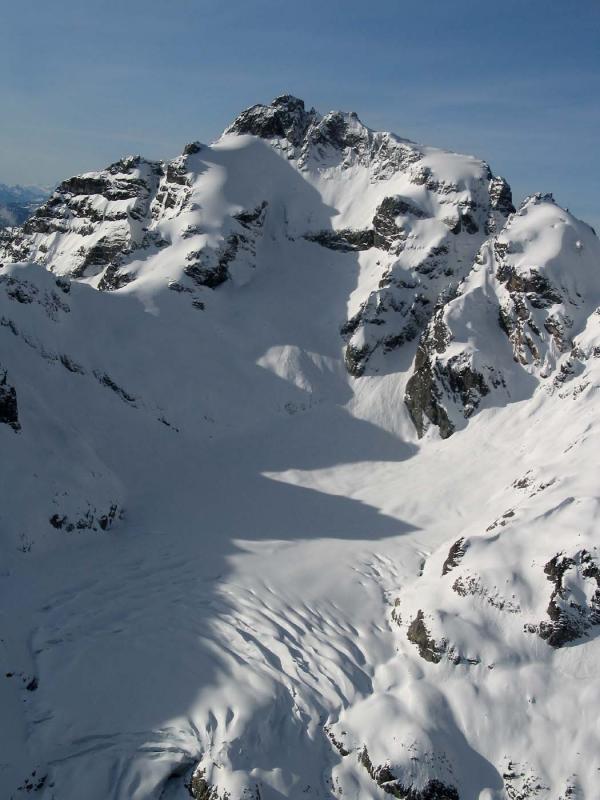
[{"x": 416, "y": 215}]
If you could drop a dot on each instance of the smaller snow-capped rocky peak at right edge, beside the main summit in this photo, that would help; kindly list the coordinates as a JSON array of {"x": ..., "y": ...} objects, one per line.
[{"x": 514, "y": 322}]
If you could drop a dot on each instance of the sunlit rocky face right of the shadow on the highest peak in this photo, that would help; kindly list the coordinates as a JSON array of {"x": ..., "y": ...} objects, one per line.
[{"x": 425, "y": 229}]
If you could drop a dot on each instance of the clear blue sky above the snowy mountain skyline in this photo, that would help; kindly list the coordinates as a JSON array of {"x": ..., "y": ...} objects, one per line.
[{"x": 83, "y": 82}]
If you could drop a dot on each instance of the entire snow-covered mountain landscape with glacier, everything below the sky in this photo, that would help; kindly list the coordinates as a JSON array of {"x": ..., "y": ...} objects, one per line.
[{"x": 299, "y": 487}]
